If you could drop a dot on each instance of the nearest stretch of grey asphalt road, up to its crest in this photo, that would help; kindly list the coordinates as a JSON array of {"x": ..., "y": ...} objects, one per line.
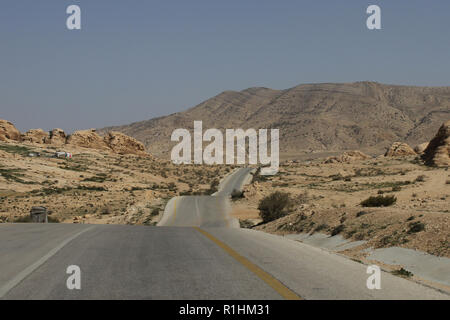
[{"x": 137, "y": 262}]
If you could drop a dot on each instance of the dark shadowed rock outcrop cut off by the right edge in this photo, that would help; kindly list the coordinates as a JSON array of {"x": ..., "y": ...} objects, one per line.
[{"x": 438, "y": 151}]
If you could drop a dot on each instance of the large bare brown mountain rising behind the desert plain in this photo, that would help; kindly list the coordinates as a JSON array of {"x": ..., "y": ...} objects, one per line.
[{"x": 313, "y": 117}]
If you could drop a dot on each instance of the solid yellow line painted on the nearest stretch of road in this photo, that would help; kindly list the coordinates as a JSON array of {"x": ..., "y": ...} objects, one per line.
[{"x": 284, "y": 291}]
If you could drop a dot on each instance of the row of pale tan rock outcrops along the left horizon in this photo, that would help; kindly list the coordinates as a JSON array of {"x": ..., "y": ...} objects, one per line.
[{"x": 115, "y": 142}]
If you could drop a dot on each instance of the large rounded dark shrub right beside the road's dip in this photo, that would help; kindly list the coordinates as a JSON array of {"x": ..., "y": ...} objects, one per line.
[{"x": 274, "y": 206}]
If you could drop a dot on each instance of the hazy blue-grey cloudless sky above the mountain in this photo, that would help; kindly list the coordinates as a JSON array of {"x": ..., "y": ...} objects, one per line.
[{"x": 134, "y": 60}]
